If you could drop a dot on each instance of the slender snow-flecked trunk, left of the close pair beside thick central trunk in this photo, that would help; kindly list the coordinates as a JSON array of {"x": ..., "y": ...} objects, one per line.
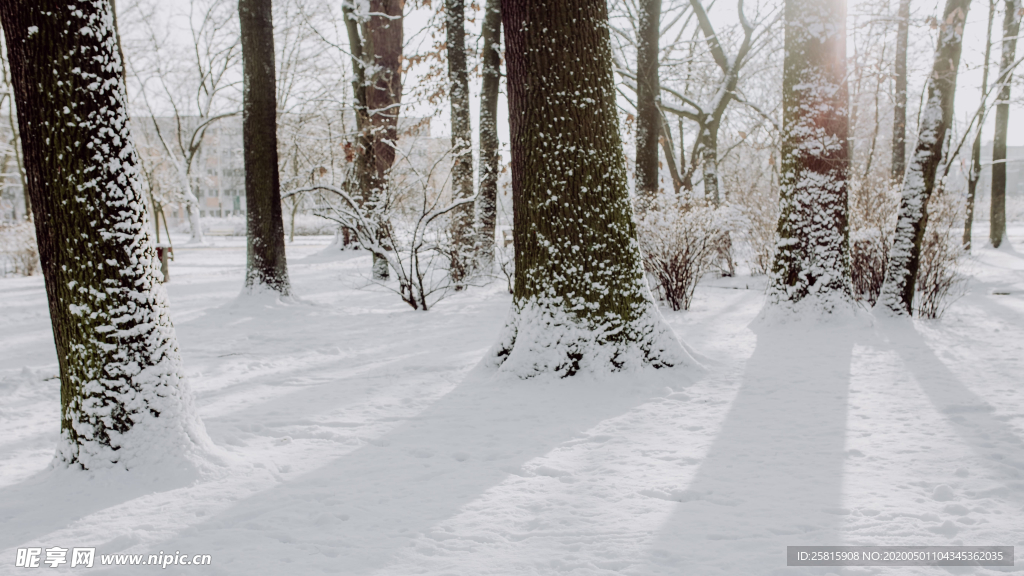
[{"x": 461, "y": 228}]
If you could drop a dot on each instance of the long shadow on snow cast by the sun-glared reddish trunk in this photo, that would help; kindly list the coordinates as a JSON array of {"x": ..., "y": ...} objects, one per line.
[{"x": 774, "y": 476}]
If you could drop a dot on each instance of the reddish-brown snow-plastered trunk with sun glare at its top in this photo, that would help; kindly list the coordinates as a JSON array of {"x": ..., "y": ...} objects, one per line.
[{"x": 813, "y": 262}]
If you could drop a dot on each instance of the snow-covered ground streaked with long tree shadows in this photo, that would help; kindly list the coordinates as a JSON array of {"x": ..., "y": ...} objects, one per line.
[{"x": 357, "y": 438}]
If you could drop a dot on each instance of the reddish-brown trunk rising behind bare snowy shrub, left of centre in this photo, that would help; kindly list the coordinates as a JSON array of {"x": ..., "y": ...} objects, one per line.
[{"x": 382, "y": 48}]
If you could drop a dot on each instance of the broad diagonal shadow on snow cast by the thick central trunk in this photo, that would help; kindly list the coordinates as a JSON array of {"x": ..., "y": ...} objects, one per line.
[{"x": 353, "y": 515}]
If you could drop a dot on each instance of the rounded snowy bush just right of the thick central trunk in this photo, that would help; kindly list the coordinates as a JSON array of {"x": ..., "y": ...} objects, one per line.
[{"x": 680, "y": 243}]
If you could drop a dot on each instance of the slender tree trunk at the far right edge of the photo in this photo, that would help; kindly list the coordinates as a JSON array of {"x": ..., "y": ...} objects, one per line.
[{"x": 998, "y": 215}]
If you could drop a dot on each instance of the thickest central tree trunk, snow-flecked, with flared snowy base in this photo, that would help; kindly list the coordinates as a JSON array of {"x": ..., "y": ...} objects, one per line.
[{"x": 581, "y": 299}]
